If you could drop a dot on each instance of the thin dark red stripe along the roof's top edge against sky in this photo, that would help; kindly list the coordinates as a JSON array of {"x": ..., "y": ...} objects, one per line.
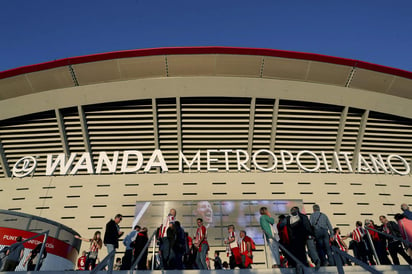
[{"x": 204, "y": 50}]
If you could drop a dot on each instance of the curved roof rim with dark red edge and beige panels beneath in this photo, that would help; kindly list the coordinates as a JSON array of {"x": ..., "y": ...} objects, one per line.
[{"x": 192, "y": 61}]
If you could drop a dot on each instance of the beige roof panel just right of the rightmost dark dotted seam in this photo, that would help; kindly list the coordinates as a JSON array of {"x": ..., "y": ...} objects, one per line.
[{"x": 371, "y": 80}]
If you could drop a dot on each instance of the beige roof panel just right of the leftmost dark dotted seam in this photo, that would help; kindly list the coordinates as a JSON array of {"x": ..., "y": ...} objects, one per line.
[{"x": 96, "y": 72}]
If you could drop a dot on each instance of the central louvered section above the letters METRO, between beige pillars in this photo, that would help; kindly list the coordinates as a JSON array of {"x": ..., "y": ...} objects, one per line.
[{"x": 215, "y": 123}]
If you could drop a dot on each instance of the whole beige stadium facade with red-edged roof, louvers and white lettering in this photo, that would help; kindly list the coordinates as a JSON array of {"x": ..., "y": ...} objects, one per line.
[{"x": 84, "y": 138}]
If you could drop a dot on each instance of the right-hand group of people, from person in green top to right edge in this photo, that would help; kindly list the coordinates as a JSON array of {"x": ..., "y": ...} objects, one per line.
[{"x": 314, "y": 237}]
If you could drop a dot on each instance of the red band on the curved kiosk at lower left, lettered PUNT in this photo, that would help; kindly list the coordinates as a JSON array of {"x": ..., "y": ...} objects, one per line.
[{"x": 53, "y": 245}]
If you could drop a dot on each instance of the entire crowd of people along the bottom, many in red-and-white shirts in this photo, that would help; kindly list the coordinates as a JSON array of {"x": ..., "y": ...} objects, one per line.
[{"x": 293, "y": 240}]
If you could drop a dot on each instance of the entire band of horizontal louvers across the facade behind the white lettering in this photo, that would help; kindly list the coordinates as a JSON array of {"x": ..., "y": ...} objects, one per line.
[{"x": 221, "y": 123}]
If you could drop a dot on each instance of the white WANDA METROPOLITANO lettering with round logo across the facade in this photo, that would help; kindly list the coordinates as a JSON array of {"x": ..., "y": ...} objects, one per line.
[{"x": 132, "y": 161}]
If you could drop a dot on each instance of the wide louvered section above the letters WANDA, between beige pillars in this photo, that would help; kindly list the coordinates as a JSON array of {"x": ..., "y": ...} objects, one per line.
[{"x": 121, "y": 126}]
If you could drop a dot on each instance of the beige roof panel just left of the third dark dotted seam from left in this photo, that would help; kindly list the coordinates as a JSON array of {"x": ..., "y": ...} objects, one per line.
[{"x": 238, "y": 65}]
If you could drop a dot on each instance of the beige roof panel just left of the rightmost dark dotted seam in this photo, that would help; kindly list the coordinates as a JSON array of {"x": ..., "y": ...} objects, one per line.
[{"x": 328, "y": 73}]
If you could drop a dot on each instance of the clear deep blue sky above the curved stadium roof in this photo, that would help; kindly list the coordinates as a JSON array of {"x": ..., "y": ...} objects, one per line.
[{"x": 35, "y": 31}]
